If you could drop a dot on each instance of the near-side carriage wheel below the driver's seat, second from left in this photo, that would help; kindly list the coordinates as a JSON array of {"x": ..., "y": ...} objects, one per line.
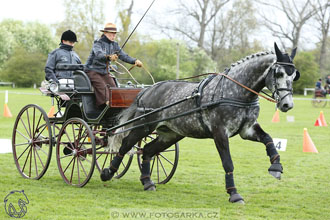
[{"x": 75, "y": 152}]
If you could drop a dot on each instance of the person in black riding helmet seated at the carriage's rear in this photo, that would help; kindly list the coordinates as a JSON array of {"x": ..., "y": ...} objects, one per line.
[{"x": 62, "y": 55}]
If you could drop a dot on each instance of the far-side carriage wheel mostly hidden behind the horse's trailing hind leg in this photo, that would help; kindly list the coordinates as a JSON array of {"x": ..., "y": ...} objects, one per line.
[{"x": 103, "y": 160}]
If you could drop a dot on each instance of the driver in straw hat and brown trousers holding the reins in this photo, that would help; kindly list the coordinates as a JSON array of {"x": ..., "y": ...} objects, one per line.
[{"x": 105, "y": 50}]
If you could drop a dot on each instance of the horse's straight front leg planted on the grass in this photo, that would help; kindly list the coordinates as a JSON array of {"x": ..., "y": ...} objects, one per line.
[{"x": 222, "y": 144}]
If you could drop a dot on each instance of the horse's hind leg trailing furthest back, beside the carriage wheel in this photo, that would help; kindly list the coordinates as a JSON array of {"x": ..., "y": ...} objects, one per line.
[{"x": 127, "y": 143}]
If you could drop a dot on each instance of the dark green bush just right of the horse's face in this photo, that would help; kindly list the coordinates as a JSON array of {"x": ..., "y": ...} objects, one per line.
[{"x": 309, "y": 71}]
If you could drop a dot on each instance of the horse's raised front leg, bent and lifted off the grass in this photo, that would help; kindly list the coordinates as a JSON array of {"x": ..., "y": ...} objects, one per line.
[{"x": 256, "y": 133}]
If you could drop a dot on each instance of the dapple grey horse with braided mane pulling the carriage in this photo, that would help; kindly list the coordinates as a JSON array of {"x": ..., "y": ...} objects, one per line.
[{"x": 225, "y": 109}]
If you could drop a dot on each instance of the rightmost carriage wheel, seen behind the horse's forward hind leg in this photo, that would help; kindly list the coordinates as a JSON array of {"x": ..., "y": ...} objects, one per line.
[{"x": 163, "y": 164}]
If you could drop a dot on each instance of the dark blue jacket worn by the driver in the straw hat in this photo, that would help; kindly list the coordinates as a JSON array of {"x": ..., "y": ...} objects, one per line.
[{"x": 101, "y": 48}]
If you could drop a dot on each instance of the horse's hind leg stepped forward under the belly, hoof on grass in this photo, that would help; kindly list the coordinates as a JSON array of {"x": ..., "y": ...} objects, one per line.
[{"x": 161, "y": 143}]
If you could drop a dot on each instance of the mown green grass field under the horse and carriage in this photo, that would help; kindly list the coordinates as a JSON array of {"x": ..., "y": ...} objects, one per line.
[{"x": 303, "y": 192}]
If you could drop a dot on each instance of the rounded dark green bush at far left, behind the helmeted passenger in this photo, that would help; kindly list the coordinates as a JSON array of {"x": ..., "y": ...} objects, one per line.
[{"x": 24, "y": 68}]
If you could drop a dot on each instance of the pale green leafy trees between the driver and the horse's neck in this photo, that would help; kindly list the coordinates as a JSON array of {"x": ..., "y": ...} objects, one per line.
[{"x": 160, "y": 58}]
